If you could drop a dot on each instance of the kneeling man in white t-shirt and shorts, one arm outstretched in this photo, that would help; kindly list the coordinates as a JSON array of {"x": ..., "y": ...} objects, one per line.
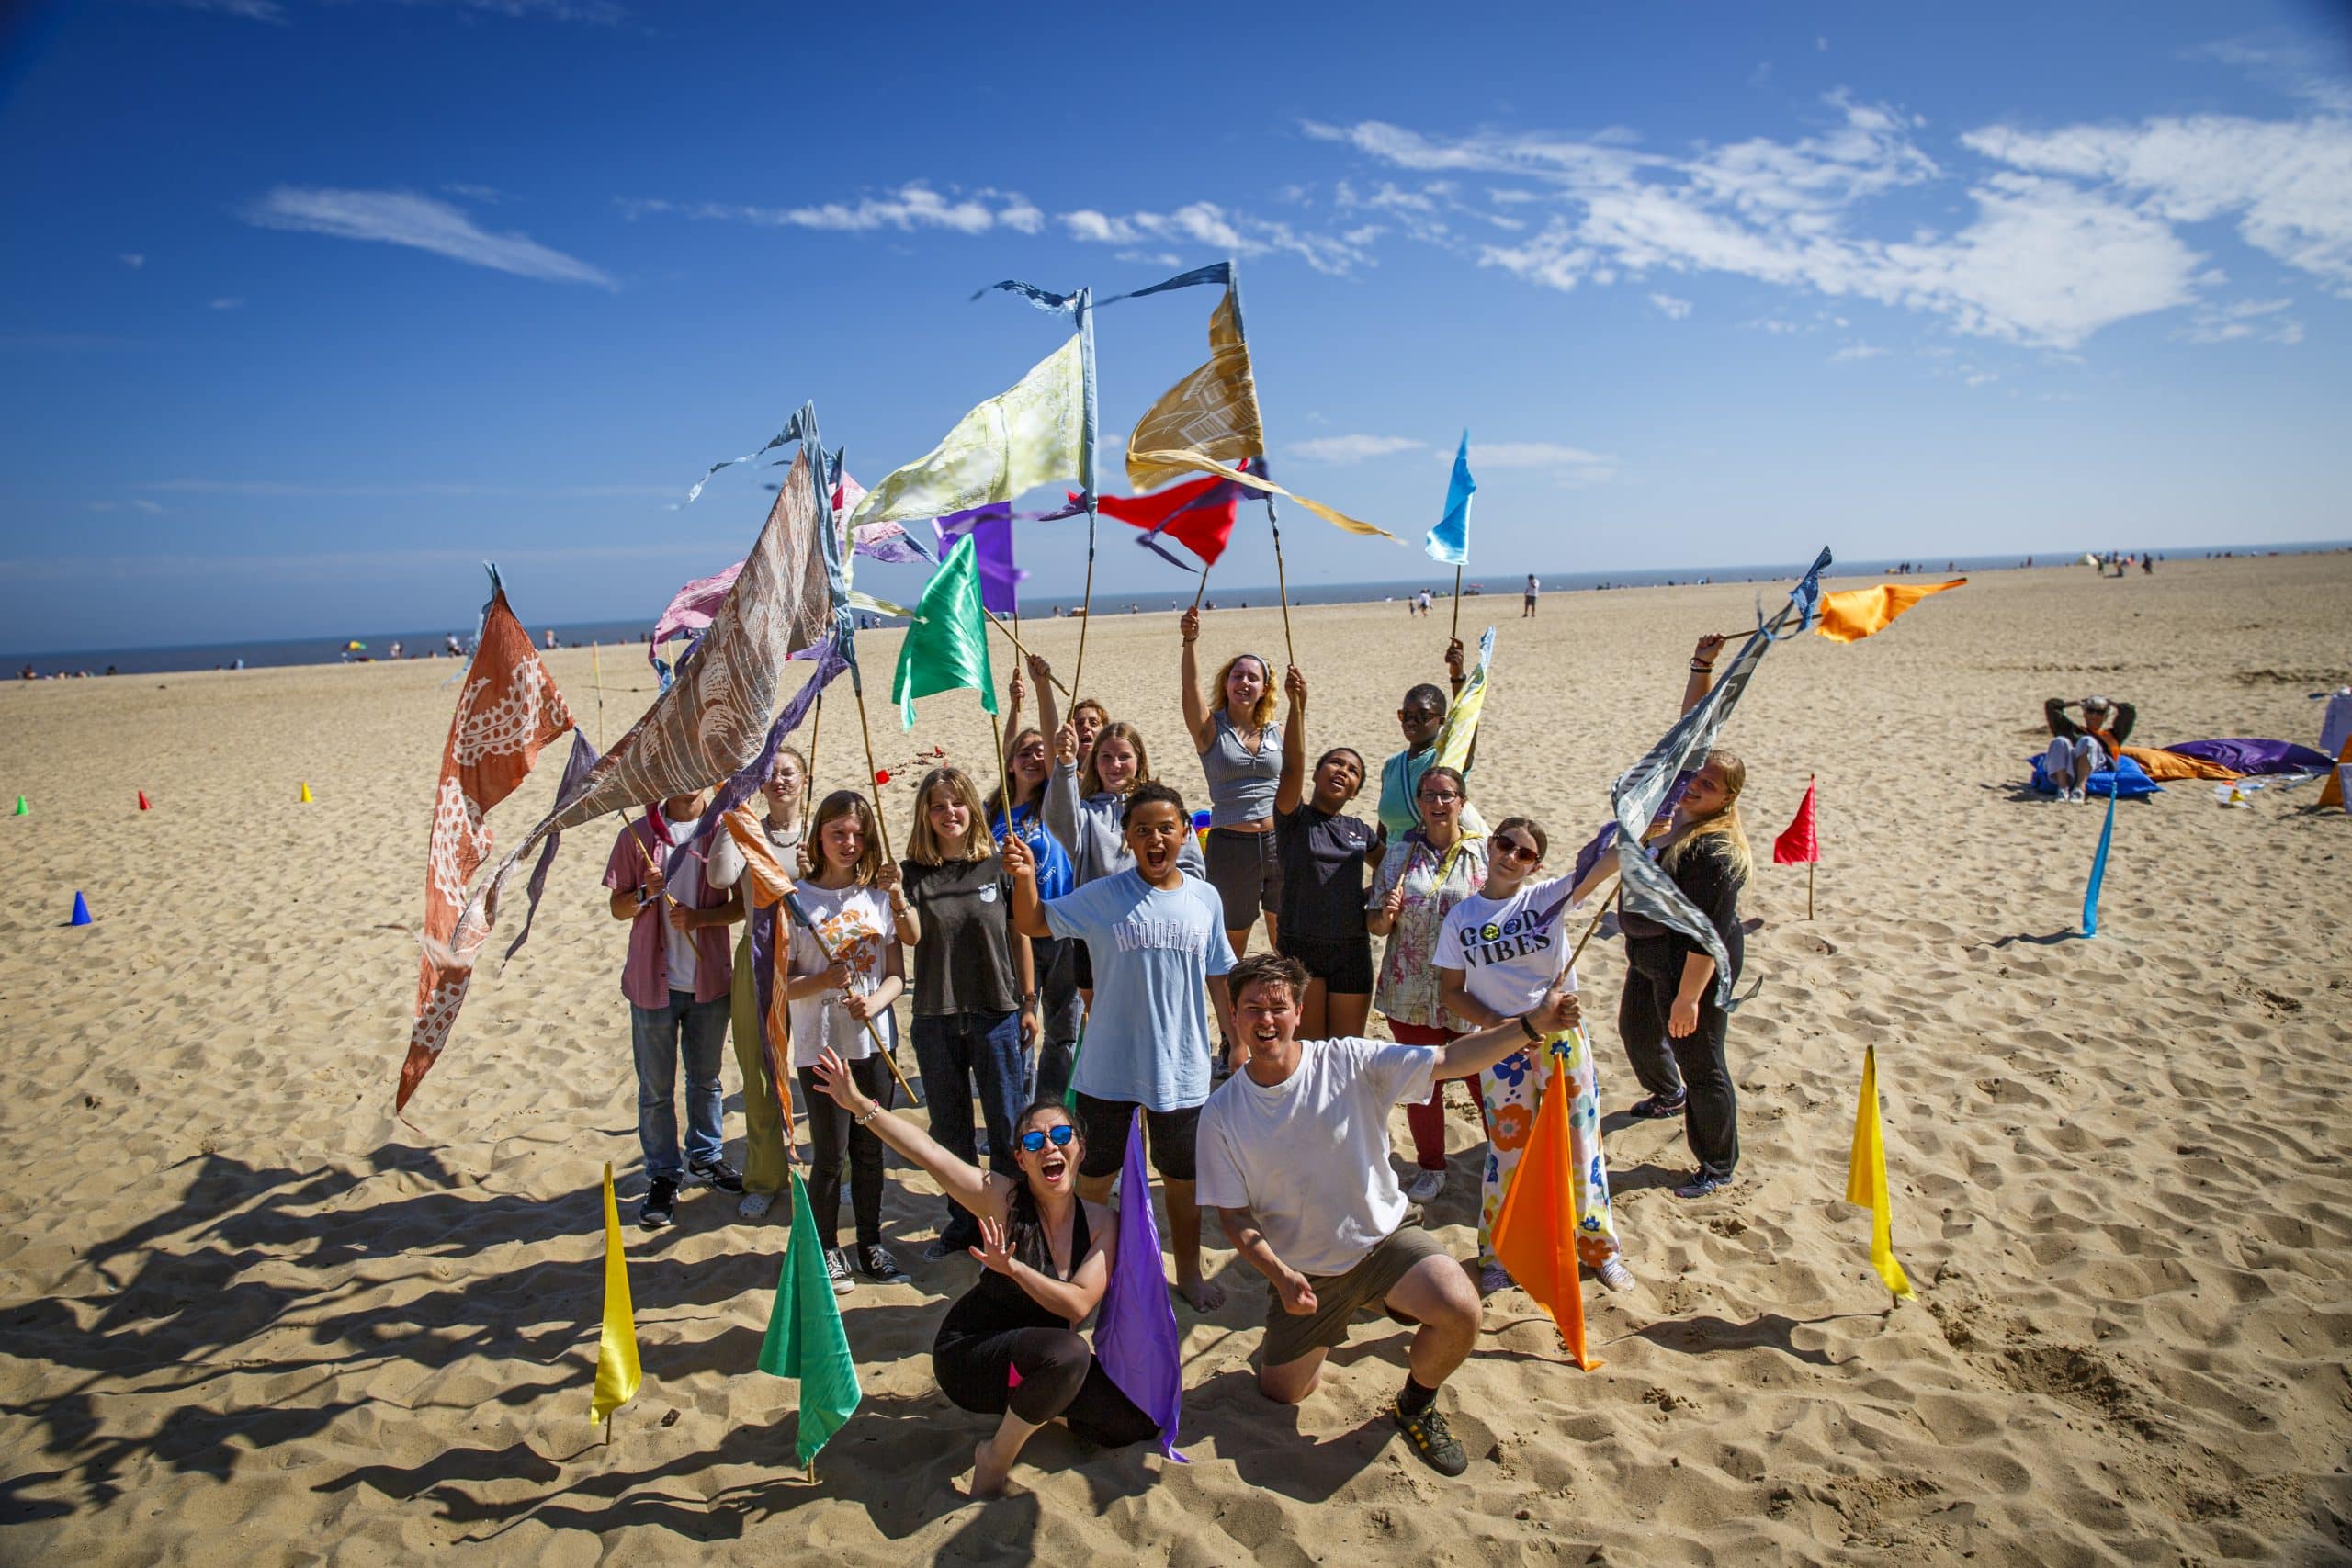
[{"x": 1295, "y": 1155}]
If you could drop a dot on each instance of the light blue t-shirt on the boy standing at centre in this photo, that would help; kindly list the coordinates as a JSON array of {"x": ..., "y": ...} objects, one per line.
[{"x": 1154, "y": 953}]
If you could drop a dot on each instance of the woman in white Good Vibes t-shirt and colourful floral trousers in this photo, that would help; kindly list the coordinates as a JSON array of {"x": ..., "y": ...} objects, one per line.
[{"x": 1502, "y": 953}]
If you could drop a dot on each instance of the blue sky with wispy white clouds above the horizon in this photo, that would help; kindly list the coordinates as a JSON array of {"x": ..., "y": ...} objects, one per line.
[{"x": 312, "y": 304}]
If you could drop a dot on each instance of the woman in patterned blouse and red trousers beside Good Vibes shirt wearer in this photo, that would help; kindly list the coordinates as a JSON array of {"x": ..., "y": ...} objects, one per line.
[{"x": 1422, "y": 878}]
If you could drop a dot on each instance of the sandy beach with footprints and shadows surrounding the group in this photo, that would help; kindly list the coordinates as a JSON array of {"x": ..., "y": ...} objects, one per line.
[{"x": 255, "y": 1318}]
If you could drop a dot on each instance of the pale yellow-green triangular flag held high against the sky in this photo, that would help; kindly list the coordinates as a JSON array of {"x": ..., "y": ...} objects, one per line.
[{"x": 1017, "y": 441}]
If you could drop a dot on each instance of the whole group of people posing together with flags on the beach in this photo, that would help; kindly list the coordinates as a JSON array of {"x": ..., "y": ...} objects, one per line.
[{"x": 1076, "y": 960}]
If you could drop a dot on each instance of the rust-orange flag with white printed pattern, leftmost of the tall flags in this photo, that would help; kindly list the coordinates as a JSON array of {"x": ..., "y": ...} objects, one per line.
[{"x": 505, "y": 716}]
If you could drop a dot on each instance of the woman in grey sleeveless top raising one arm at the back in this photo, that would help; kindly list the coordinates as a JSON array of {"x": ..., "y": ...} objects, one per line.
[{"x": 1241, "y": 753}]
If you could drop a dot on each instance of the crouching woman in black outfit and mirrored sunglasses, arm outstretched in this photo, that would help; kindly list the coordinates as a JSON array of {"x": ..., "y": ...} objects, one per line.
[{"x": 1048, "y": 1259}]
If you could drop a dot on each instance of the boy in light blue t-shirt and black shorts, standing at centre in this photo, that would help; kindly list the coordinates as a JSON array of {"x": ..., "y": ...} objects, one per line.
[{"x": 1158, "y": 944}]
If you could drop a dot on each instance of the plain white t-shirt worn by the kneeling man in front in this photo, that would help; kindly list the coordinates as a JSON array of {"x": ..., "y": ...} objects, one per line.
[{"x": 1309, "y": 1158}]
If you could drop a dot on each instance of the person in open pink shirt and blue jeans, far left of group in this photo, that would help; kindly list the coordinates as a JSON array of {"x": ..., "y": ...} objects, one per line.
[{"x": 679, "y": 979}]
